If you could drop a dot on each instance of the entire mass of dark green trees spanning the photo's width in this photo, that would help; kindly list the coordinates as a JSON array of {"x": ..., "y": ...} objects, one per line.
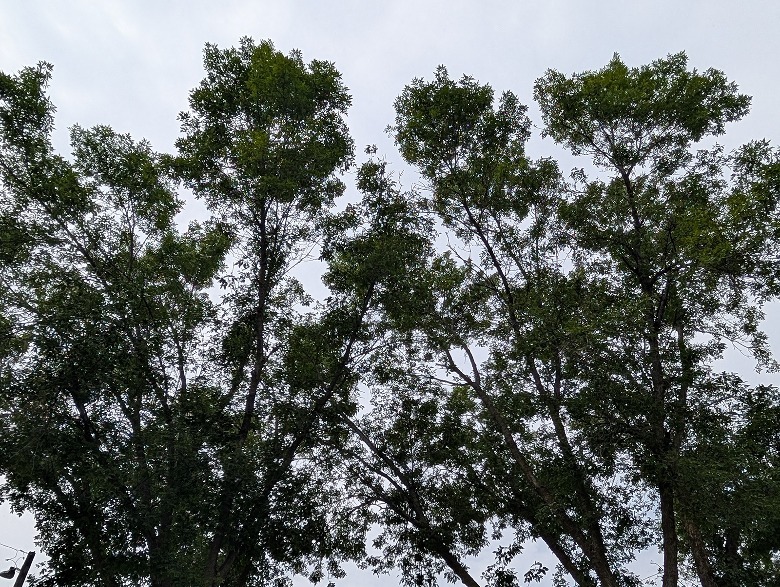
[{"x": 503, "y": 354}]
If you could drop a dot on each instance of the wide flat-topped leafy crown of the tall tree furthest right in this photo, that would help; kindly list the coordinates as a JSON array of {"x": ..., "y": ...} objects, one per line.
[{"x": 638, "y": 117}]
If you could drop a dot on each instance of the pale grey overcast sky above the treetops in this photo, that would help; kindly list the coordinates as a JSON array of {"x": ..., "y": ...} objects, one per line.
[{"x": 131, "y": 64}]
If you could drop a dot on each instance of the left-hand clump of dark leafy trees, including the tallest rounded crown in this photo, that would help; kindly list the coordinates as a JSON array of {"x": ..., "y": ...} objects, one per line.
[{"x": 158, "y": 437}]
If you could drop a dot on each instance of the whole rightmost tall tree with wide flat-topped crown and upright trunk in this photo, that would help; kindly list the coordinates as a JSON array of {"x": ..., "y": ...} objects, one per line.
[{"x": 689, "y": 256}]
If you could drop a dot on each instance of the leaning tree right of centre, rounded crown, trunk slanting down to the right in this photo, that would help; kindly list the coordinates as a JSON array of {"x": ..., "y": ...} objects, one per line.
[{"x": 513, "y": 300}]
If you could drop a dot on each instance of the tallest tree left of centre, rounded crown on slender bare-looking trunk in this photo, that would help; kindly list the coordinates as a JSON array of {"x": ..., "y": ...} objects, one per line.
[{"x": 262, "y": 143}]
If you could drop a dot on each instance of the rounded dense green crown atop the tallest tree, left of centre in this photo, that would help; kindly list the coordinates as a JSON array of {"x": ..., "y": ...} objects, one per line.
[{"x": 263, "y": 124}]
